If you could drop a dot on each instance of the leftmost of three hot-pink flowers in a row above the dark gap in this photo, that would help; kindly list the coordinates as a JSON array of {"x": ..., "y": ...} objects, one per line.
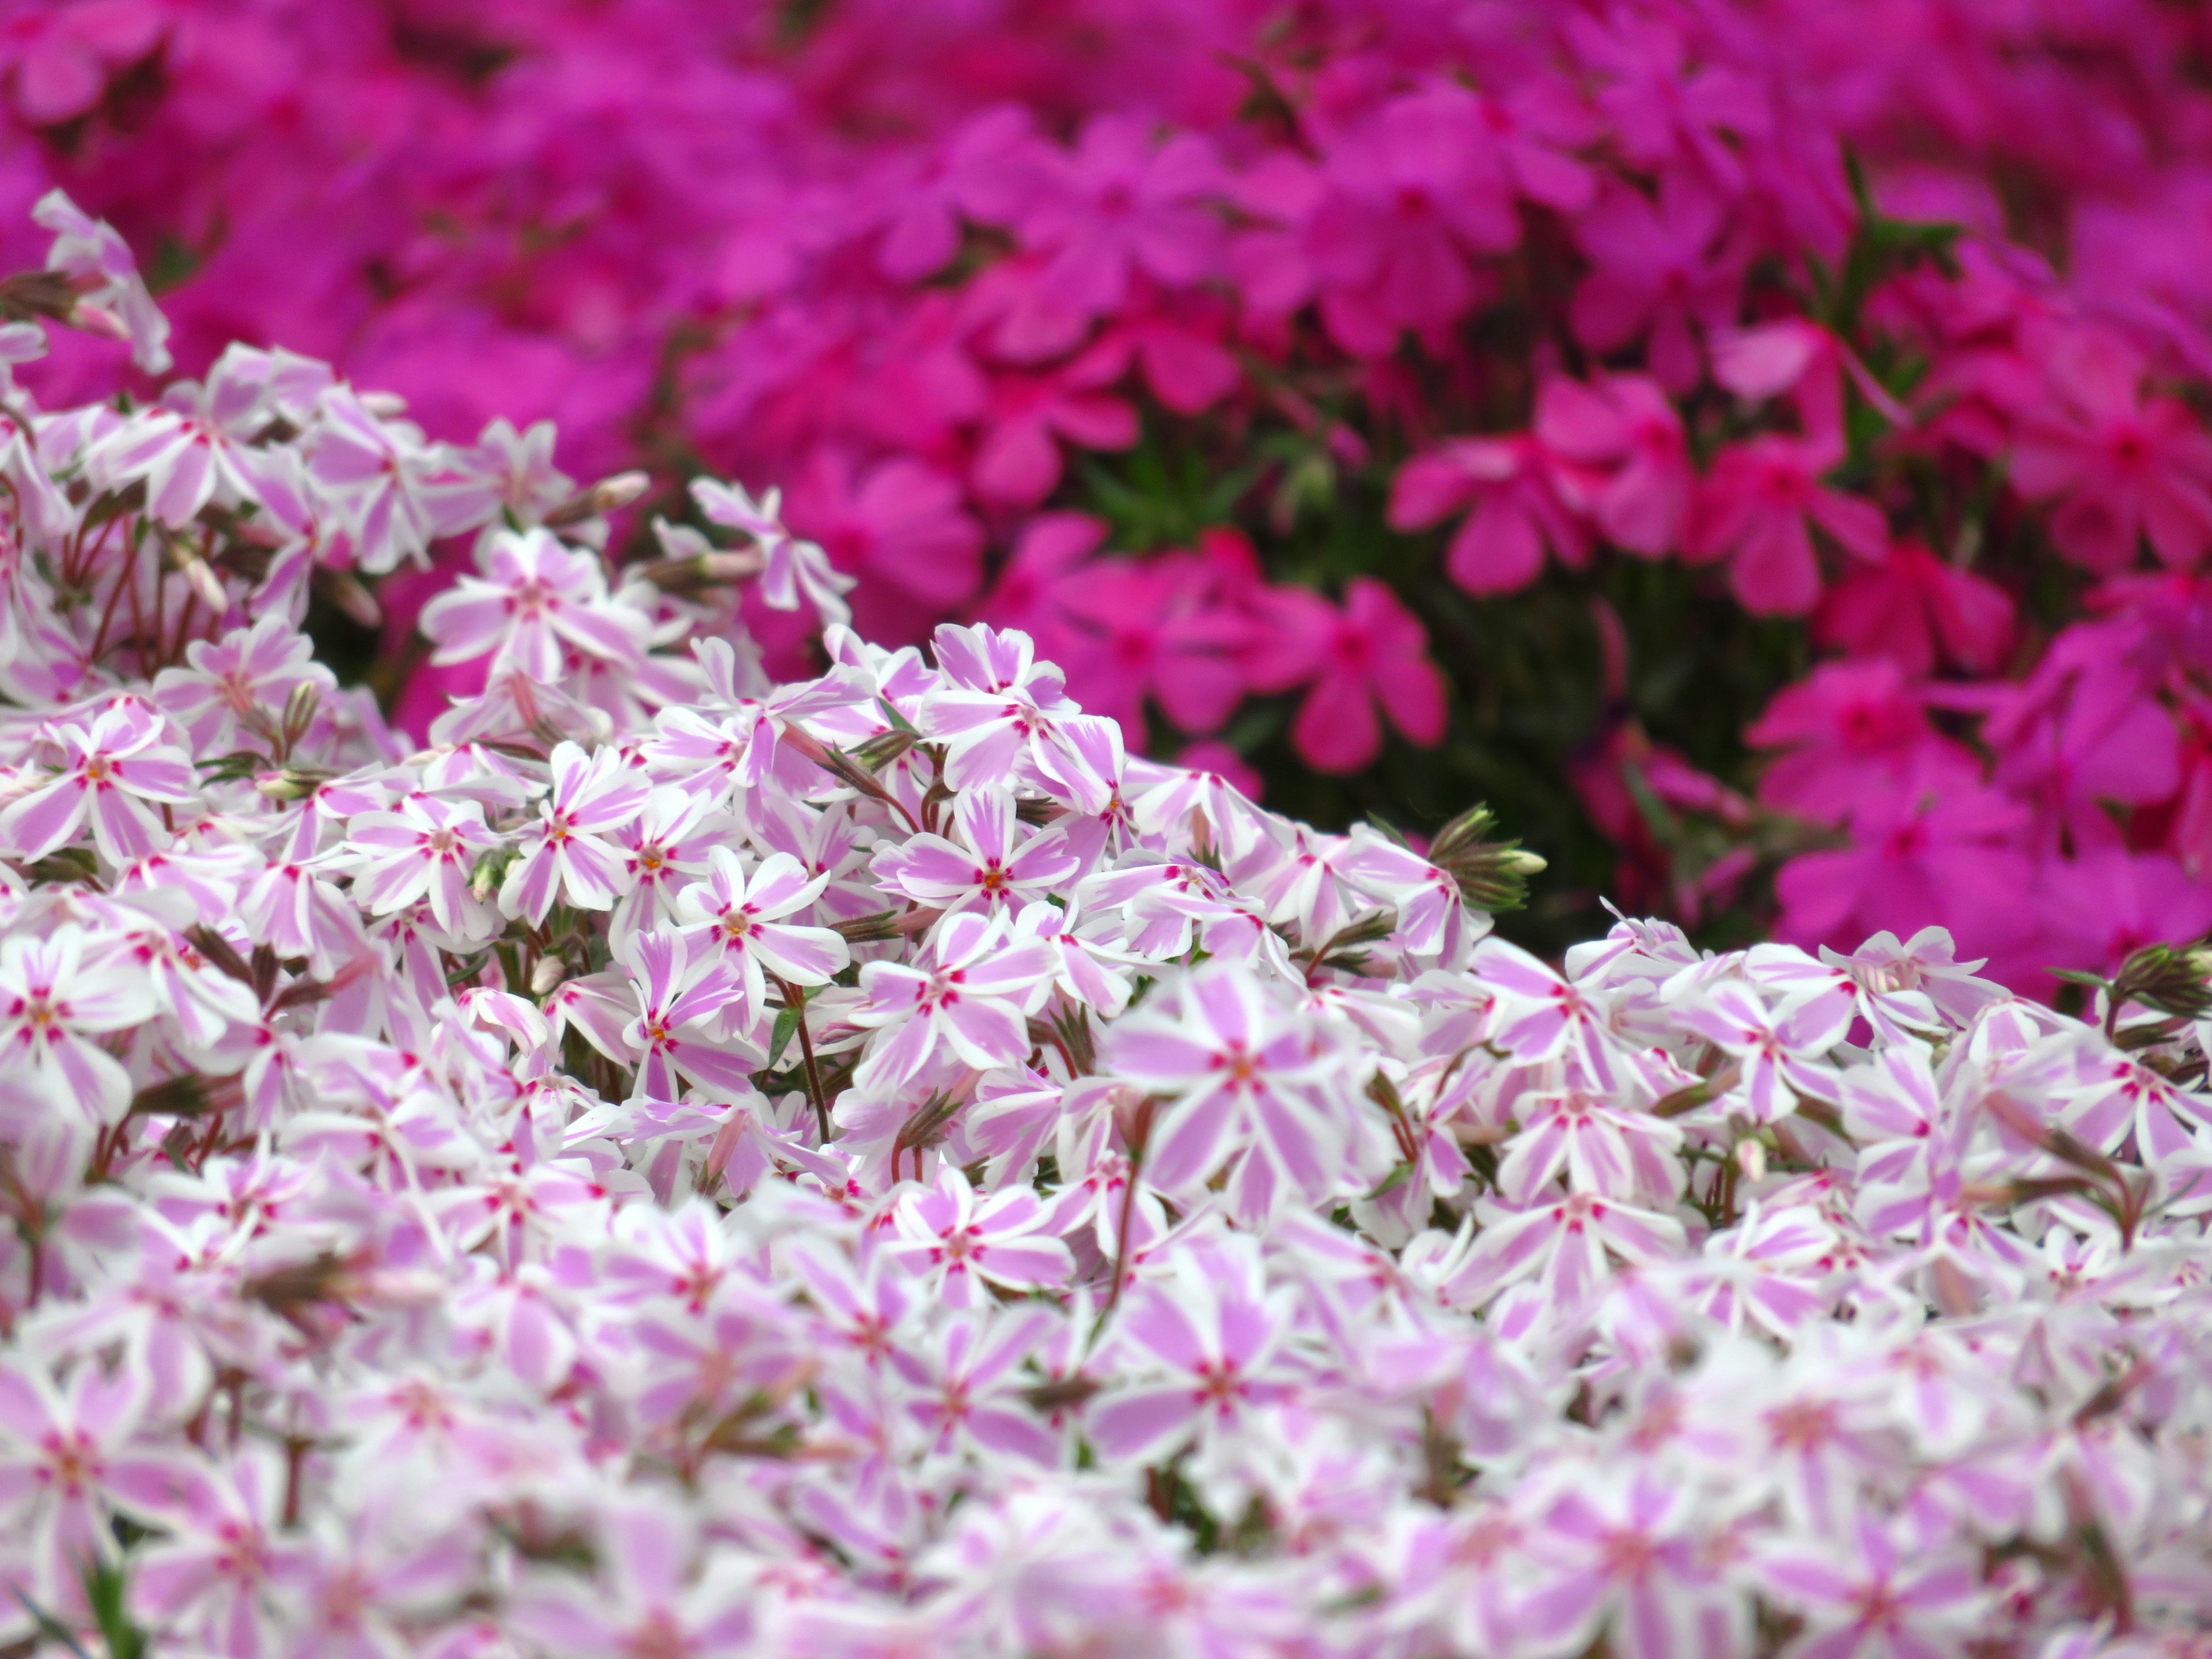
[{"x": 1519, "y": 510}]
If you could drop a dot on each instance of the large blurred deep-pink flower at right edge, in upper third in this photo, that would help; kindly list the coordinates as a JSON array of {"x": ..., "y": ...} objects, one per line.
[{"x": 2122, "y": 466}]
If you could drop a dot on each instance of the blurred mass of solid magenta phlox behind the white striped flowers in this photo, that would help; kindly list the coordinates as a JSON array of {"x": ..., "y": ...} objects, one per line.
[{"x": 1755, "y": 446}]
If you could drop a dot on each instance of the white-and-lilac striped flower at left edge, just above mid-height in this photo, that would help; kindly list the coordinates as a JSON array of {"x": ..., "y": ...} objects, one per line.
[{"x": 114, "y": 771}]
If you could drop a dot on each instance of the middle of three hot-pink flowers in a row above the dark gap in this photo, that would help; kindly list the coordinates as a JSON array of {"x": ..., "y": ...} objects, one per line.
[{"x": 1620, "y": 457}]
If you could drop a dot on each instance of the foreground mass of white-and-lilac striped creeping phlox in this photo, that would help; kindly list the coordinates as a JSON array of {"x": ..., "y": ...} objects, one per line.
[{"x": 866, "y": 1167}]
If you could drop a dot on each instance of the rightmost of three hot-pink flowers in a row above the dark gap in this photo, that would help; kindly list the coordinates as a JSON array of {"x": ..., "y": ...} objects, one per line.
[{"x": 1757, "y": 508}]
